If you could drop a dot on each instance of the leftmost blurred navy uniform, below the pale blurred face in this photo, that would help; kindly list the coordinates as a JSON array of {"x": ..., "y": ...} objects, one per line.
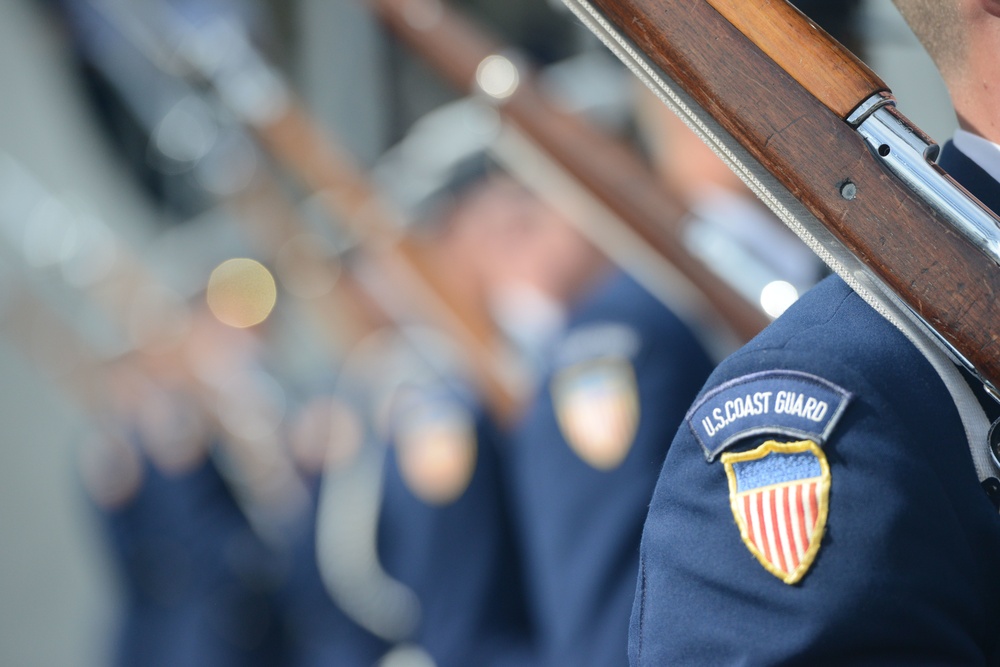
[{"x": 199, "y": 583}]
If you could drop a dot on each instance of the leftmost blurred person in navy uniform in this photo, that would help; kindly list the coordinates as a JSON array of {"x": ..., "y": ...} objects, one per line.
[{"x": 200, "y": 577}]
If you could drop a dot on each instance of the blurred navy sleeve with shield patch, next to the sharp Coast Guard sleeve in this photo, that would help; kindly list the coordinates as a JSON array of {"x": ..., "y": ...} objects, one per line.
[{"x": 580, "y": 516}]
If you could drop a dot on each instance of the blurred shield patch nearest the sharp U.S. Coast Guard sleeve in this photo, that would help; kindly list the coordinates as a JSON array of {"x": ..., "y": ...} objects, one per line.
[{"x": 597, "y": 407}]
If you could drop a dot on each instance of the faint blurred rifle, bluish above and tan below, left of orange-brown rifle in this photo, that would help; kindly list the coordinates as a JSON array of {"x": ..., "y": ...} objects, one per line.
[{"x": 190, "y": 134}]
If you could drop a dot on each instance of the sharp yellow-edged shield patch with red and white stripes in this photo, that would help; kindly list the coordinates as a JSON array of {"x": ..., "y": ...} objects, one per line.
[{"x": 779, "y": 494}]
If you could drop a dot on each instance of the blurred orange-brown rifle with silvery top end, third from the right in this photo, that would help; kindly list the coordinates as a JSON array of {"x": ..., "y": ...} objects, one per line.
[{"x": 219, "y": 53}]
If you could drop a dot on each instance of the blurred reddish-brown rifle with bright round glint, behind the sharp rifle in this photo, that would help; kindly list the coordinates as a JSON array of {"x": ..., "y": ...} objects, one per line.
[{"x": 602, "y": 169}]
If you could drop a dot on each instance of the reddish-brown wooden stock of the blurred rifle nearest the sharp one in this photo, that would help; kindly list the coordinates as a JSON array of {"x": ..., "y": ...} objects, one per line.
[{"x": 603, "y": 166}]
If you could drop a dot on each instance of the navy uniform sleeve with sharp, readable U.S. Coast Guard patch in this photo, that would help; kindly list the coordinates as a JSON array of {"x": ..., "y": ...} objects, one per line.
[{"x": 821, "y": 503}]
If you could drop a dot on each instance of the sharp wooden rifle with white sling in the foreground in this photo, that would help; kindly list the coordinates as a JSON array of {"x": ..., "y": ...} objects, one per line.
[{"x": 817, "y": 136}]
